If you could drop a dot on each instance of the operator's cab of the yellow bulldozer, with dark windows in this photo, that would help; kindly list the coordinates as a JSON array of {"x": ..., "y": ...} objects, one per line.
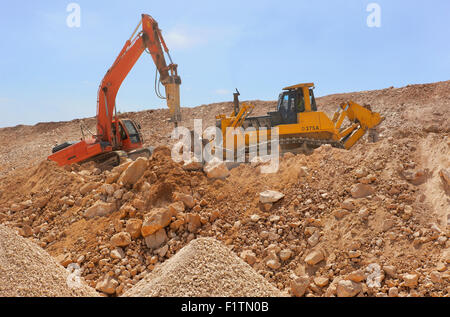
[{"x": 292, "y": 101}]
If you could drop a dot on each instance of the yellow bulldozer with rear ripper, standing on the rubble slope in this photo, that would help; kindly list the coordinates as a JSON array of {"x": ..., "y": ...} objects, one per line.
[{"x": 300, "y": 125}]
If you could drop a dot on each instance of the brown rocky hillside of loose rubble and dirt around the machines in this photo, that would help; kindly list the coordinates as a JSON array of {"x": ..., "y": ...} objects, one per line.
[{"x": 370, "y": 221}]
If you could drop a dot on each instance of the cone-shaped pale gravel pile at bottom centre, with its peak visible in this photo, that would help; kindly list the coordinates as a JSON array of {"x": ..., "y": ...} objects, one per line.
[{"x": 204, "y": 268}]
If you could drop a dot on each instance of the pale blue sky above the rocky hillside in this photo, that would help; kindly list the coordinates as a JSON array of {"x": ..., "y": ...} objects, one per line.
[{"x": 50, "y": 72}]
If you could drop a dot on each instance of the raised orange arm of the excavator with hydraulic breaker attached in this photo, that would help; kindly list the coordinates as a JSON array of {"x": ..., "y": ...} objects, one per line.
[{"x": 150, "y": 39}]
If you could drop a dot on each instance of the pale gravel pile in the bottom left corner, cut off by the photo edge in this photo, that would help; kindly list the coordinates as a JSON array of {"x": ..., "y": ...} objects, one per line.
[{"x": 27, "y": 270}]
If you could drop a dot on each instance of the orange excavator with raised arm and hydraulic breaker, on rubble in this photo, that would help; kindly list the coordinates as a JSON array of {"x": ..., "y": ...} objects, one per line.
[{"x": 116, "y": 137}]
